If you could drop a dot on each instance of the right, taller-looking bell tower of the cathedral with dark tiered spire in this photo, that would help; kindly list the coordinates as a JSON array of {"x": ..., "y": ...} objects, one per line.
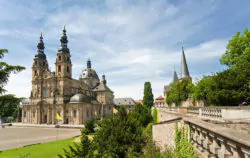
[{"x": 63, "y": 61}]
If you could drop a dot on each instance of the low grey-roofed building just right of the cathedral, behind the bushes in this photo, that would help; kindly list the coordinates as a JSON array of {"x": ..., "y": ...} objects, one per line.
[{"x": 128, "y": 103}]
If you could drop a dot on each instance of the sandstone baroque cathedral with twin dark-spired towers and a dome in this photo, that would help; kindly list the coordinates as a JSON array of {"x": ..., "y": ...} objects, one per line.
[{"x": 74, "y": 100}]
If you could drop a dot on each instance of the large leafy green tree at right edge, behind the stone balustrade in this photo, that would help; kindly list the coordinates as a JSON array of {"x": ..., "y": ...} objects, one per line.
[{"x": 231, "y": 86}]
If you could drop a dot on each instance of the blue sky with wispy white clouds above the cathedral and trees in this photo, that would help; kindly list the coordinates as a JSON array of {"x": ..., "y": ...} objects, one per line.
[{"x": 130, "y": 41}]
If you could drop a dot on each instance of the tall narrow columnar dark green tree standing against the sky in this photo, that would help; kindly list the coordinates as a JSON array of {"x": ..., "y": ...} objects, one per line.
[{"x": 148, "y": 98}]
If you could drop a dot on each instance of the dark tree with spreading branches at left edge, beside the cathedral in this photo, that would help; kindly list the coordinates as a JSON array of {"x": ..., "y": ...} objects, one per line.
[{"x": 8, "y": 102}]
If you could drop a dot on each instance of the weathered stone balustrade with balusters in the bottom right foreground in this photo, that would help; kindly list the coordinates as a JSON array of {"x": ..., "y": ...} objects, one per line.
[{"x": 212, "y": 140}]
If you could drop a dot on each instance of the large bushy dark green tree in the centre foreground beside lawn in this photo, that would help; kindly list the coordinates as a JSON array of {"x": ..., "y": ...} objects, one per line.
[{"x": 119, "y": 136}]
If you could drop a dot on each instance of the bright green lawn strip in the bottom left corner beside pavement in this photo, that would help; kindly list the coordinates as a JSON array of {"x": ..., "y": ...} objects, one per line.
[{"x": 45, "y": 150}]
